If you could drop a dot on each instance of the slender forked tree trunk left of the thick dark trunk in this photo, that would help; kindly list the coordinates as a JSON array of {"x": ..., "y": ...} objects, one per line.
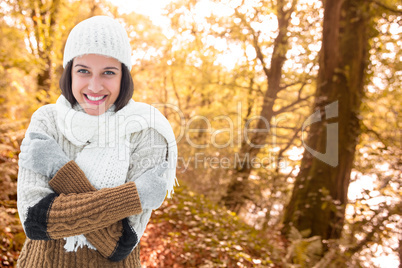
[{"x": 237, "y": 192}]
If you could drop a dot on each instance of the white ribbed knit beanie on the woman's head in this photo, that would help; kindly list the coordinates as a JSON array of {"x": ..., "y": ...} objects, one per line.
[{"x": 98, "y": 35}]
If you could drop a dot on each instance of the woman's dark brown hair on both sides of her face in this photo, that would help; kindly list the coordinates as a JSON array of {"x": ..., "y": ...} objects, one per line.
[{"x": 126, "y": 86}]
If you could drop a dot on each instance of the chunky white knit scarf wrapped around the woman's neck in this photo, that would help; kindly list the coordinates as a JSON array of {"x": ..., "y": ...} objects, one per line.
[{"x": 106, "y": 140}]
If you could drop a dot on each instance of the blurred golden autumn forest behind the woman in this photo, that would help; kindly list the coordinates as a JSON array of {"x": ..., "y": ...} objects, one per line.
[{"x": 287, "y": 115}]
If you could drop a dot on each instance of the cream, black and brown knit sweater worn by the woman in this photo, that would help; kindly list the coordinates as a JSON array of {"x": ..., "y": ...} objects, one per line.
[{"x": 71, "y": 210}]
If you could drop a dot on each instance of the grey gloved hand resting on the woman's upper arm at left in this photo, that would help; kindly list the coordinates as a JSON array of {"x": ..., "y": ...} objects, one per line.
[{"x": 41, "y": 154}]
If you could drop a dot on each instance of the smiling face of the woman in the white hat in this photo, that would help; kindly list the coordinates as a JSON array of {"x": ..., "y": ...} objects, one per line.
[{"x": 96, "y": 82}]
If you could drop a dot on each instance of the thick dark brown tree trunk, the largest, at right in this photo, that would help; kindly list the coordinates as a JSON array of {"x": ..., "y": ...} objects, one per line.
[{"x": 319, "y": 197}]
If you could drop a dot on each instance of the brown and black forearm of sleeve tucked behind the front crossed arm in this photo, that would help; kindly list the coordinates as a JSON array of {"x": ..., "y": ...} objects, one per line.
[{"x": 114, "y": 242}]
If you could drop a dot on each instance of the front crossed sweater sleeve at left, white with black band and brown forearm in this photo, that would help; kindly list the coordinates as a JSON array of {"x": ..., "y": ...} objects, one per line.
[{"x": 47, "y": 215}]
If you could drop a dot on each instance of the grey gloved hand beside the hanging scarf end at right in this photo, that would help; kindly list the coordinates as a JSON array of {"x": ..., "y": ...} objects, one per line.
[{"x": 152, "y": 187}]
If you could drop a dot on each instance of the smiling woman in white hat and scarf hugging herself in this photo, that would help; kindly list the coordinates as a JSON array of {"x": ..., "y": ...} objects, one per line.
[{"x": 95, "y": 164}]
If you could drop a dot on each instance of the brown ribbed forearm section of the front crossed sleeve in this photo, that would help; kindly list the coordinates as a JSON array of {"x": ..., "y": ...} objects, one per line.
[{"x": 101, "y": 209}]
